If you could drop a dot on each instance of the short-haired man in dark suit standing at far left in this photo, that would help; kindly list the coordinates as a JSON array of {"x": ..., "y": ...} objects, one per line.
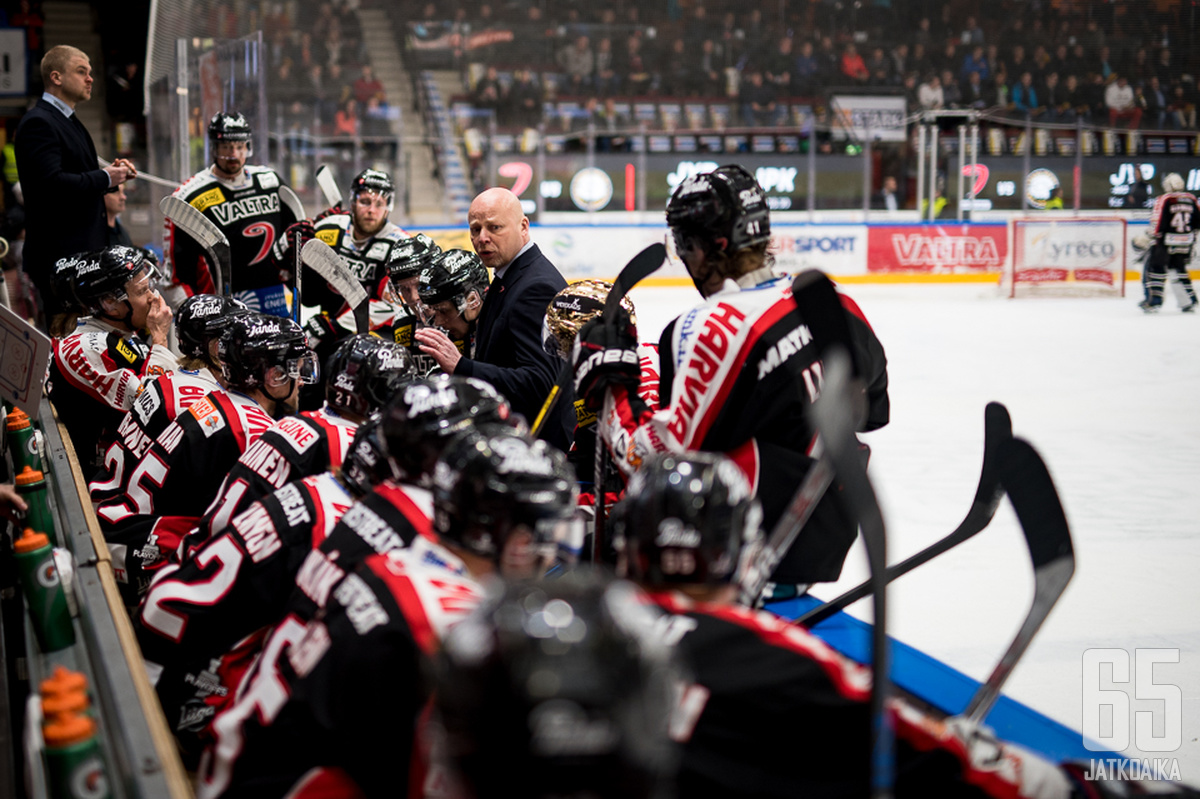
[{"x": 63, "y": 184}]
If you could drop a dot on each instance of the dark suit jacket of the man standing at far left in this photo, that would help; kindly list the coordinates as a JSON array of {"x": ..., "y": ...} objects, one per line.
[{"x": 64, "y": 190}]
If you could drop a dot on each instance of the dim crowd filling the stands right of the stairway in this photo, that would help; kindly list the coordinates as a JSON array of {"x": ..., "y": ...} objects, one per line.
[{"x": 1120, "y": 63}]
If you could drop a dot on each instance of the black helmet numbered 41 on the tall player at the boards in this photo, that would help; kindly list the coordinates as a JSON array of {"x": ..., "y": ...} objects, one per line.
[{"x": 727, "y": 203}]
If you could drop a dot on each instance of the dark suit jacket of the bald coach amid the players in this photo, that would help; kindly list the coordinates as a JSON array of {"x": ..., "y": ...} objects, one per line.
[{"x": 509, "y": 352}]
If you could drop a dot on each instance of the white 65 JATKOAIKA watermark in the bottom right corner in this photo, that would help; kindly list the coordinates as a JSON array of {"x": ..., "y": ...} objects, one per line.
[{"x": 1109, "y": 713}]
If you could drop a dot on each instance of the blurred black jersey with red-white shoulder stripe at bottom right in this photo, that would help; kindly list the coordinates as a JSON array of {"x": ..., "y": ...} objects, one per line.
[{"x": 775, "y": 712}]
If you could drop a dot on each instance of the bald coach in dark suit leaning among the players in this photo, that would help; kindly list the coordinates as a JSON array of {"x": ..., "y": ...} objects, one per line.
[{"x": 509, "y": 351}]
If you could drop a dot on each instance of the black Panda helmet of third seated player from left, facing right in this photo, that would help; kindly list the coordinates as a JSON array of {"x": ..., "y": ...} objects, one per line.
[{"x": 254, "y": 344}]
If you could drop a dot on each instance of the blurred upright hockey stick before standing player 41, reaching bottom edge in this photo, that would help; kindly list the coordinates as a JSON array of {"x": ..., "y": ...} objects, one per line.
[{"x": 837, "y": 419}]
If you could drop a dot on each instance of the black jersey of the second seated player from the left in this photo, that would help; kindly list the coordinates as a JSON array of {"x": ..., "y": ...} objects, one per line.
[{"x": 160, "y": 401}]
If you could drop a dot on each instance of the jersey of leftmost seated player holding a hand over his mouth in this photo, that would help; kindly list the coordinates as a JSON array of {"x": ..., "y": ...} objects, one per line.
[{"x": 97, "y": 374}]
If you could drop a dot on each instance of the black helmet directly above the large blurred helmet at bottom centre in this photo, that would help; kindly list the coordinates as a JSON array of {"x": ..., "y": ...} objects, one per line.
[{"x": 488, "y": 483}]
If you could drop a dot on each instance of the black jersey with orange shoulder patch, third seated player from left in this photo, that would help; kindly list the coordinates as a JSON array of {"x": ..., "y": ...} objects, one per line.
[{"x": 175, "y": 482}]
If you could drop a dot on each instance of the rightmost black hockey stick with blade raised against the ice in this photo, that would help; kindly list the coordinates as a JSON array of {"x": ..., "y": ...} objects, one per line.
[{"x": 1039, "y": 509}]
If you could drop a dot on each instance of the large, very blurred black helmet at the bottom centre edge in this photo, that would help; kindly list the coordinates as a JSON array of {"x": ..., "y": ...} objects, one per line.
[{"x": 563, "y": 688}]
